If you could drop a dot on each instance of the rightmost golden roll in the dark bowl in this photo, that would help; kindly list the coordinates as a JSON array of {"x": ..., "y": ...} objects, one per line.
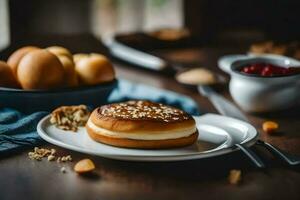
[{"x": 93, "y": 69}]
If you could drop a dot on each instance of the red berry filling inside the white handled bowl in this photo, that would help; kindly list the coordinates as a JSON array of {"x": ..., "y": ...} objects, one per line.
[{"x": 266, "y": 69}]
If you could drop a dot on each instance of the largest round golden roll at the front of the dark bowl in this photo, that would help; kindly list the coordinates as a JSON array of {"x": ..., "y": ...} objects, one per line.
[{"x": 40, "y": 69}]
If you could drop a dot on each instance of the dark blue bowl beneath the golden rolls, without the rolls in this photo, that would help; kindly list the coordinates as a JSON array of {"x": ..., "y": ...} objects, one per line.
[{"x": 46, "y": 100}]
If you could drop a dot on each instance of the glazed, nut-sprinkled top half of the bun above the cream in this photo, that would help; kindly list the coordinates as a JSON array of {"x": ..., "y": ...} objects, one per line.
[{"x": 175, "y": 119}]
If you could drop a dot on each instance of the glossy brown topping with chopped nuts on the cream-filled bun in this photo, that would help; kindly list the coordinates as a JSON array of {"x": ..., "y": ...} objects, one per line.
[{"x": 143, "y": 110}]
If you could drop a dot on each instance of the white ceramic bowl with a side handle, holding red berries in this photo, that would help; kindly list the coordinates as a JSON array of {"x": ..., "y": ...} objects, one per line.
[{"x": 261, "y": 94}]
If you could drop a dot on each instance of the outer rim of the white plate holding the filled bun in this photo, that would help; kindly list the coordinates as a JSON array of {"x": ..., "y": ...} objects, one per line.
[{"x": 163, "y": 158}]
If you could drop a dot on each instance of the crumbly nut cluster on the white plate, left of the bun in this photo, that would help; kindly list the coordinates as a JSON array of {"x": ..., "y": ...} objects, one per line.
[{"x": 69, "y": 118}]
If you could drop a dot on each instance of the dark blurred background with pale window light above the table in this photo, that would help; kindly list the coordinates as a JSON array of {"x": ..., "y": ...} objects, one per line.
[{"x": 224, "y": 20}]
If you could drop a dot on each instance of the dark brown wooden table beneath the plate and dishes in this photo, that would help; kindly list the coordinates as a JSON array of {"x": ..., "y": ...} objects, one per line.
[{"x": 22, "y": 178}]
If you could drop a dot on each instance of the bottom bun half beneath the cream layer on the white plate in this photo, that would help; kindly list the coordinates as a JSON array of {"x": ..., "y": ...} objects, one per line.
[{"x": 143, "y": 144}]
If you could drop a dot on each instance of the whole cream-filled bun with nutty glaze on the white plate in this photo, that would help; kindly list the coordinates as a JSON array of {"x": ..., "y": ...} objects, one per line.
[{"x": 142, "y": 124}]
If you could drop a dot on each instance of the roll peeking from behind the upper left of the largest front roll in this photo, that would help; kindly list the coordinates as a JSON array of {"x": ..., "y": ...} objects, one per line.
[{"x": 14, "y": 59}]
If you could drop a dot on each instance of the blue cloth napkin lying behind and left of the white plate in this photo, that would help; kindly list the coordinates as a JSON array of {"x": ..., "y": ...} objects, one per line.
[{"x": 19, "y": 130}]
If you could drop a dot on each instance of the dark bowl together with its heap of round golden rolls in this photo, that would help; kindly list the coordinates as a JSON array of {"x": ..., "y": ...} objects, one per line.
[{"x": 35, "y": 79}]
